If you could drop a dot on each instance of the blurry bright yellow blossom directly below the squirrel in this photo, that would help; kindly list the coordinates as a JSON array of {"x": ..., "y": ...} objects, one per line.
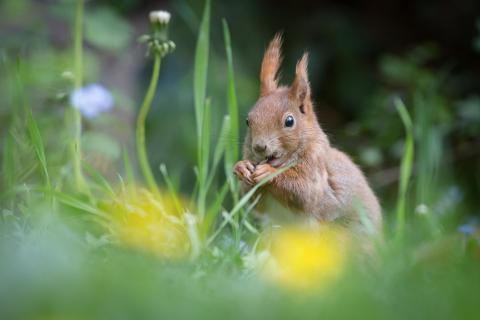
[{"x": 306, "y": 257}]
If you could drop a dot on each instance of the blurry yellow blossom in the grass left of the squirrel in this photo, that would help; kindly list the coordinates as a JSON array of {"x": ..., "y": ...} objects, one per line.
[{"x": 150, "y": 223}]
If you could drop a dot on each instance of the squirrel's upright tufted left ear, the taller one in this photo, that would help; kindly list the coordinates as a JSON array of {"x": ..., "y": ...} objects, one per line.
[{"x": 270, "y": 65}]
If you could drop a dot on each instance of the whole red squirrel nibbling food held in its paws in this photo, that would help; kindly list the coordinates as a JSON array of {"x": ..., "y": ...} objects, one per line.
[{"x": 283, "y": 130}]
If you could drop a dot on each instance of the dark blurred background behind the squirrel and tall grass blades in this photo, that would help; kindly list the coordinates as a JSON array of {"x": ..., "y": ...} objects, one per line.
[{"x": 362, "y": 54}]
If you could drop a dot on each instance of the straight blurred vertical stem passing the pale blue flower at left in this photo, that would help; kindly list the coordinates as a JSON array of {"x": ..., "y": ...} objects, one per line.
[{"x": 76, "y": 119}]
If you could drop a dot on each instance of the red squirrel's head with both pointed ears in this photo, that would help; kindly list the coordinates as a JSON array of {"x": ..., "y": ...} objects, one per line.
[{"x": 283, "y": 119}]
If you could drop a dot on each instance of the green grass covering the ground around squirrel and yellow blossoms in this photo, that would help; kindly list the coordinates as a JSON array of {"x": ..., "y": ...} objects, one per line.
[{"x": 58, "y": 258}]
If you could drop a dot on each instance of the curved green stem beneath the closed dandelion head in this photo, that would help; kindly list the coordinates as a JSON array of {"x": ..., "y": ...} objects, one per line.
[{"x": 140, "y": 132}]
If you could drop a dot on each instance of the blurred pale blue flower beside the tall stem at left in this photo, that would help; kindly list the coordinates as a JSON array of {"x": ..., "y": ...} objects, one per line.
[{"x": 92, "y": 100}]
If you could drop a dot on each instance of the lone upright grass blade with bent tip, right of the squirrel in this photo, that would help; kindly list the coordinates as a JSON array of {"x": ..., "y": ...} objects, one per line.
[{"x": 405, "y": 167}]
